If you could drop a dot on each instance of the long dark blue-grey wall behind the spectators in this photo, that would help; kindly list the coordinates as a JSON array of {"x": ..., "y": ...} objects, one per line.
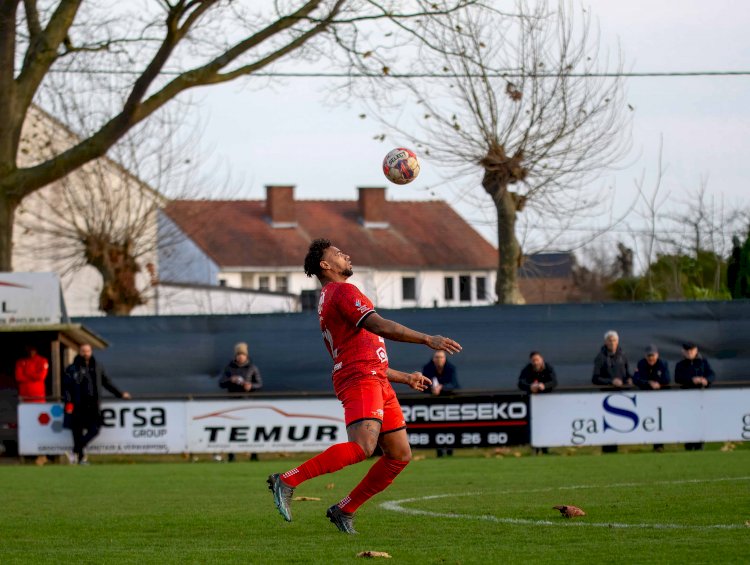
[{"x": 182, "y": 354}]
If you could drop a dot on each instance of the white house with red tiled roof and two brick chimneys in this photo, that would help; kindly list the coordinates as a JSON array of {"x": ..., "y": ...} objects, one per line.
[{"x": 405, "y": 254}]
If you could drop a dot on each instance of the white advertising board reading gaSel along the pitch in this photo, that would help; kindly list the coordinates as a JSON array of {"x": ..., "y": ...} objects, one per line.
[{"x": 640, "y": 417}]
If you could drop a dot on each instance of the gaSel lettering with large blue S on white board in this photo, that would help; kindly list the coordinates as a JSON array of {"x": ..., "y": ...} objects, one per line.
[{"x": 621, "y": 415}]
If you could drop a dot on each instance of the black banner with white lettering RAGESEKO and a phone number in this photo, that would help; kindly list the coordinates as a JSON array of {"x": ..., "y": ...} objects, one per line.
[{"x": 467, "y": 421}]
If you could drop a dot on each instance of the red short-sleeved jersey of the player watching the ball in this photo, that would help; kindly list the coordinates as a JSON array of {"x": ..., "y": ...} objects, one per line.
[{"x": 356, "y": 352}]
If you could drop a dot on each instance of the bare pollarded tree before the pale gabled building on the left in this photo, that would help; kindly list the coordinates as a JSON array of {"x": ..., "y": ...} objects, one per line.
[{"x": 105, "y": 214}]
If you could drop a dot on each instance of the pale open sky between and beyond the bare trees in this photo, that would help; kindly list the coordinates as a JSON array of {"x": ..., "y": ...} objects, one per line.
[{"x": 289, "y": 134}]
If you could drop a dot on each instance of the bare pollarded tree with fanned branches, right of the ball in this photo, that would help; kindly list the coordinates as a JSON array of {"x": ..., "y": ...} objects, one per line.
[{"x": 525, "y": 100}]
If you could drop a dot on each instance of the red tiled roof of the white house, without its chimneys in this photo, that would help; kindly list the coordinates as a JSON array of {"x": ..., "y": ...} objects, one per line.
[{"x": 421, "y": 235}]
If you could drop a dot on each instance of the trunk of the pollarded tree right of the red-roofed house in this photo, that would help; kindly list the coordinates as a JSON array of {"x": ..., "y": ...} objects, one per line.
[{"x": 509, "y": 250}]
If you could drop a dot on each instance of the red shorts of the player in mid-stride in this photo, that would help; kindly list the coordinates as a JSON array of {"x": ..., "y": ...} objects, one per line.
[{"x": 372, "y": 399}]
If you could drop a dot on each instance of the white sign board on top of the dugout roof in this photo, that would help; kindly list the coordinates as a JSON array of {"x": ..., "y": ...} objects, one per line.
[{"x": 29, "y": 299}]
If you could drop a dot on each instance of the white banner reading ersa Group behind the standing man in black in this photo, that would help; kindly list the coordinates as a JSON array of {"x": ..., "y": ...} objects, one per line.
[{"x": 127, "y": 427}]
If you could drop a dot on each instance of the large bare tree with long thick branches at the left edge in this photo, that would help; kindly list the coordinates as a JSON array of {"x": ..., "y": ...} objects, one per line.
[{"x": 139, "y": 56}]
